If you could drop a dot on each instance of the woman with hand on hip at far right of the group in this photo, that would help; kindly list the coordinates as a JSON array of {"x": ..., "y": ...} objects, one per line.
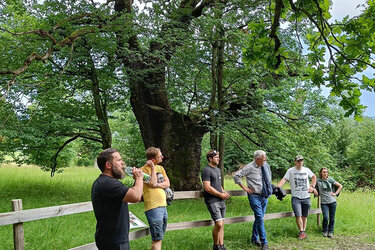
[{"x": 328, "y": 200}]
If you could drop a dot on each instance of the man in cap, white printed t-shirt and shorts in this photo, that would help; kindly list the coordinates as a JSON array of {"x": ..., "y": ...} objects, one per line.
[{"x": 298, "y": 177}]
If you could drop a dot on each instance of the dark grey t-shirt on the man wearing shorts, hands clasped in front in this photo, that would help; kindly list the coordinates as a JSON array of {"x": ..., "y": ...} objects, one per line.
[{"x": 213, "y": 175}]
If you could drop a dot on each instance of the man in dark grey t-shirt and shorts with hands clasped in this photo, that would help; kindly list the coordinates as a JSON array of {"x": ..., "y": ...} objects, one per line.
[{"x": 214, "y": 197}]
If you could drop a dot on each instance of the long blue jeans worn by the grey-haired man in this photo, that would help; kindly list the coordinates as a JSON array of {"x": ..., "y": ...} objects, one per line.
[{"x": 259, "y": 205}]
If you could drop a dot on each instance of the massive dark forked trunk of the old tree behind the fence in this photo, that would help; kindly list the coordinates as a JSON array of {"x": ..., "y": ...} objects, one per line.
[{"x": 177, "y": 135}]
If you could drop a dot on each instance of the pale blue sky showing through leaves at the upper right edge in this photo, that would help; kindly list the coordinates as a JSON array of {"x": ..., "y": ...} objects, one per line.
[{"x": 340, "y": 9}]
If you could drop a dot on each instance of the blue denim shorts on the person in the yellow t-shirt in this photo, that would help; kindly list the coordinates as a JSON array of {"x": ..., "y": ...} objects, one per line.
[{"x": 157, "y": 219}]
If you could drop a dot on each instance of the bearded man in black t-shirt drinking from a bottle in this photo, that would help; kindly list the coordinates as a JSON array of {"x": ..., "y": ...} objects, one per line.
[{"x": 110, "y": 201}]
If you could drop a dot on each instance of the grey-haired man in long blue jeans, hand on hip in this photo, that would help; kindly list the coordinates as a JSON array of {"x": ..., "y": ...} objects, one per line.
[{"x": 258, "y": 178}]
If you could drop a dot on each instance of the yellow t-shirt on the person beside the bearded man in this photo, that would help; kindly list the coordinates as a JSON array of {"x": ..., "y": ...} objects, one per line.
[{"x": 154, "y": 197}]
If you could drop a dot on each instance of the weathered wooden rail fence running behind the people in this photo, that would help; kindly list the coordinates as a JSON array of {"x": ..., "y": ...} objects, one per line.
[{"x": 19, "y": 216}]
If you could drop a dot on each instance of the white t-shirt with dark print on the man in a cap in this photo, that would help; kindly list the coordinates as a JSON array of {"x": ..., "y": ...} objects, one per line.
[{"x": 299, "y": 181}]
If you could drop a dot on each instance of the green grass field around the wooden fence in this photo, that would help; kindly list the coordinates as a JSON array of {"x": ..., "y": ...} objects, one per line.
[{"x": 355, "y": 222}]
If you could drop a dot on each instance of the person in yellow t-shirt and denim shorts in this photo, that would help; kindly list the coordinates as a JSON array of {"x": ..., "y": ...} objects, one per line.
[{"x": 154, "y": 197}]
